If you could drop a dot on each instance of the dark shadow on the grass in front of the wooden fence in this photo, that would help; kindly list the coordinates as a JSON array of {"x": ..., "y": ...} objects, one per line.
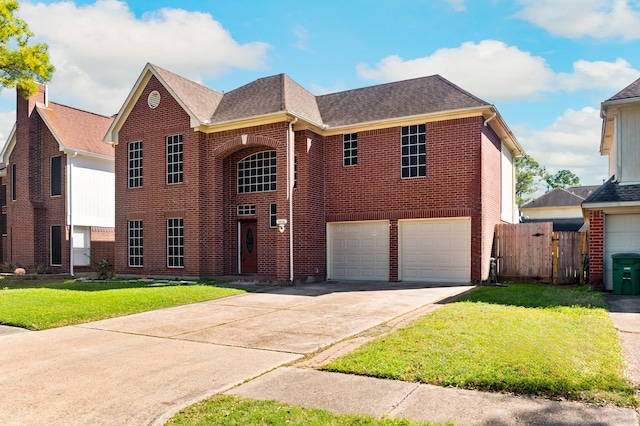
[{"x": 536, "y": 295}]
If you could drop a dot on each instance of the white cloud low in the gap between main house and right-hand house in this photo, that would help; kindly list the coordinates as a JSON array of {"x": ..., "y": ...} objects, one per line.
[{"x": 572, "y": 142}]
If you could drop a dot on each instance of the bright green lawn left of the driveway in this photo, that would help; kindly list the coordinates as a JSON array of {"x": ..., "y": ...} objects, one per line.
[{"x": 37, "y": 305}]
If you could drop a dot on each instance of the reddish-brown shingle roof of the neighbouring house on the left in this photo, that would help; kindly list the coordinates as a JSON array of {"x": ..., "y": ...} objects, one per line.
[{"x": 76, "y": 130}]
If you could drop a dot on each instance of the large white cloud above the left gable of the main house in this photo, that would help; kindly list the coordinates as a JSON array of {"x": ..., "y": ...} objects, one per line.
[{"x": 100, "y": 49}]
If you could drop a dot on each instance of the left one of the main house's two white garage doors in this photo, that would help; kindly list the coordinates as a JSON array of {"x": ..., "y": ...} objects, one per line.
[{"x": 358, "y": 250}]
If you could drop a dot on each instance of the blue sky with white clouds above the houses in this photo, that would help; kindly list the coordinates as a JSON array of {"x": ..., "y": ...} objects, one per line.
[{"x": 545, "y": 64}]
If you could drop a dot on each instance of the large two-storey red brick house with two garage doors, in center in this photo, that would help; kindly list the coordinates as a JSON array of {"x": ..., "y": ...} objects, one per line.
[{"x": 399, "y": 181}]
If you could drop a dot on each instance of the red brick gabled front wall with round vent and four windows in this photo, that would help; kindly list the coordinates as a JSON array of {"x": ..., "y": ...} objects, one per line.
[{"x": 156, "y": 201}]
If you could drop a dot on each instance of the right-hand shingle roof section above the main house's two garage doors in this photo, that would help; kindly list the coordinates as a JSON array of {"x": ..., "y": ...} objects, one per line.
[{"x": 398, "y": 99}]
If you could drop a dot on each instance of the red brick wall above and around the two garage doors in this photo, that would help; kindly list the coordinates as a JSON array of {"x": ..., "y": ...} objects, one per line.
[{"x": 373, "y": 189}]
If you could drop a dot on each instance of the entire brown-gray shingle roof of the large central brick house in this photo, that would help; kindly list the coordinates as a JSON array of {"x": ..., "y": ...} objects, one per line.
[{"x": 280, "y": 93}]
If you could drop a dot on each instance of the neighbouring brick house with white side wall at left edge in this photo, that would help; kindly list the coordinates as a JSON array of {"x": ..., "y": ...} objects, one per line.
[{"x": 57, "y": 187}]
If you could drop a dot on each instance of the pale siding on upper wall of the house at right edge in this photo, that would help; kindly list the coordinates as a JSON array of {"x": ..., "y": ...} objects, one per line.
[{"x": 628, "y": 139}]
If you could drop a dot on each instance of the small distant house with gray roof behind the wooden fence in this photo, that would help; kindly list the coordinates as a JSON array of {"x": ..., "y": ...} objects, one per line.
[{"x": 562, "y": 206}]
